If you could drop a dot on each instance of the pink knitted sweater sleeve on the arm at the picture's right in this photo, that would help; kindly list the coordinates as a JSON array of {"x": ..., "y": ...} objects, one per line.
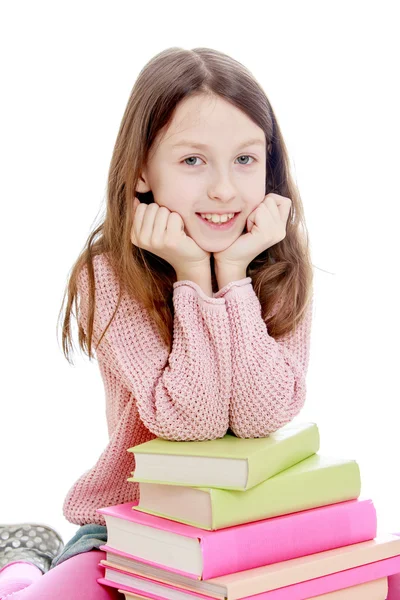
[{"x": 268, "y": 375}]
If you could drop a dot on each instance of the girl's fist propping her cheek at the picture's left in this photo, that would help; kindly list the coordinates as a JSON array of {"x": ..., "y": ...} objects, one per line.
[{"x": 156, "y": 229}]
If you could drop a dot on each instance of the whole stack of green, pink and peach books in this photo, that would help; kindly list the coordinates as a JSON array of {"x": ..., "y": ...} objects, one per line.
[{"x": 232, "y": 519}]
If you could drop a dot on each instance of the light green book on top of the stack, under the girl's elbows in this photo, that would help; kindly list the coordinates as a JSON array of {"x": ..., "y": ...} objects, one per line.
[{"x": 228, "y": 462}]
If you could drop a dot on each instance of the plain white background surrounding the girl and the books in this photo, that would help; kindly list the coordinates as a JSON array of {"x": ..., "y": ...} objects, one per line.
[{"x": 330, "y": 70}]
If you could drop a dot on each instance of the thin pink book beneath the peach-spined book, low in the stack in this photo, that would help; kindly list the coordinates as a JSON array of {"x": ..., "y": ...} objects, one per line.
[{"x": 298, "y": 591}]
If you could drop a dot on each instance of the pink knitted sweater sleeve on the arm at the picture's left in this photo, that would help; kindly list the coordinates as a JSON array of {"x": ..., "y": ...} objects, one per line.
[{"x": 181, "y": 395}]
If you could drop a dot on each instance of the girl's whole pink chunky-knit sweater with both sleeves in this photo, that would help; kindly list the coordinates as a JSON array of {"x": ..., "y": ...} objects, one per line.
[{"x": 224, "y": 371}]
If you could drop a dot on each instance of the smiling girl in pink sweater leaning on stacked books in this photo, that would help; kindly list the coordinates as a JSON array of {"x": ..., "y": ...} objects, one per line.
[{"x": 195, "y": 291}]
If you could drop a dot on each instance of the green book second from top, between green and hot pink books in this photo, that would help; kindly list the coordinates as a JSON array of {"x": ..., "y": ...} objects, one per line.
[{"x": 315, "y": 481}]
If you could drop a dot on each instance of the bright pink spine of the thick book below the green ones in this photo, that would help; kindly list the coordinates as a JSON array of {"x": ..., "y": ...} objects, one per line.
[{"x": 290, "y": 536}]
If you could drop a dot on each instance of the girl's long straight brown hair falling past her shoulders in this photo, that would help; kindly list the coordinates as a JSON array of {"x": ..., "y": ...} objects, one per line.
[{"x": 283, "y": 274}]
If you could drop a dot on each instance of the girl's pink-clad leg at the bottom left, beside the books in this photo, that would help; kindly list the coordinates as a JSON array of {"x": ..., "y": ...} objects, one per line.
[{"x": 73, "y": 579}]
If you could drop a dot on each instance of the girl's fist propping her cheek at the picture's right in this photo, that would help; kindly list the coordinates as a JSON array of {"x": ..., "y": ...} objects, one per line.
[{"x": 266, "y": 226}]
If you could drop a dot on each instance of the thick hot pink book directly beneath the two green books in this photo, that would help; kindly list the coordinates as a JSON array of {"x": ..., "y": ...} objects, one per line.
[{"x": 201, "y": 554}]
